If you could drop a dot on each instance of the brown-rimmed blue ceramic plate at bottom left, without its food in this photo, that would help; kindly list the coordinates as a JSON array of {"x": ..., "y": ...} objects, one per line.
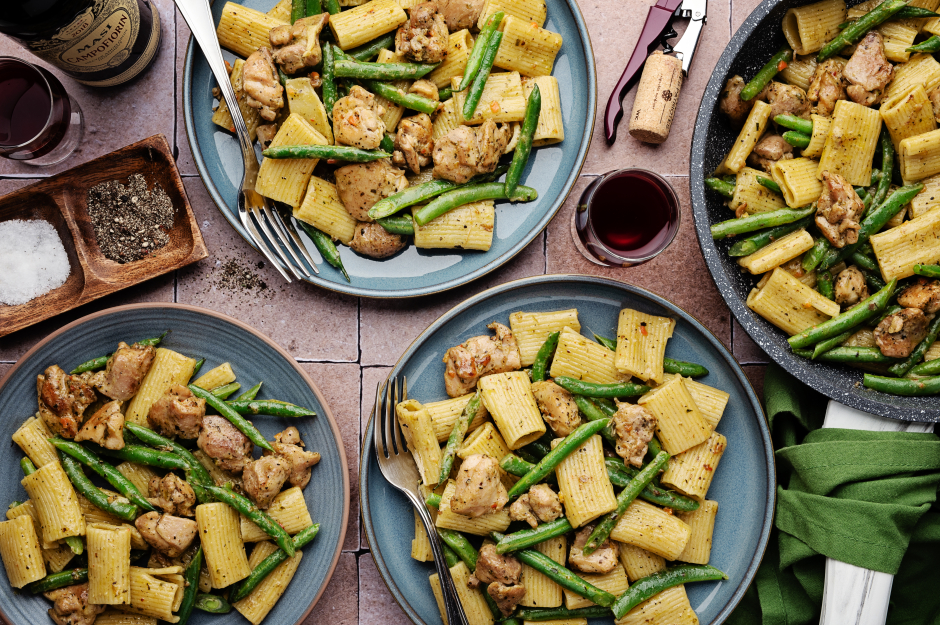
[{"x": 217, "y": 338}]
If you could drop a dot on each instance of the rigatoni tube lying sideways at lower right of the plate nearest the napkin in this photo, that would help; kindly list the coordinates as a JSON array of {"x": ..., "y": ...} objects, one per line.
[{"x": 648, "y": 527}]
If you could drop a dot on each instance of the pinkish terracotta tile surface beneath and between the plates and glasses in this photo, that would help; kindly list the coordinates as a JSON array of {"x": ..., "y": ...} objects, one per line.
[{"x": 344, "y": 342}]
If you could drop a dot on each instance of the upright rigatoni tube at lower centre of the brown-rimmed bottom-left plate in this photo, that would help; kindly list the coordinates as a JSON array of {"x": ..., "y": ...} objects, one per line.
[{"x": 220, "y": 536}]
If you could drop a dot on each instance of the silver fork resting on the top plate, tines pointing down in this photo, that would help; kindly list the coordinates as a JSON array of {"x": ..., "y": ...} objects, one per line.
[{"x": 253, "y": 208}]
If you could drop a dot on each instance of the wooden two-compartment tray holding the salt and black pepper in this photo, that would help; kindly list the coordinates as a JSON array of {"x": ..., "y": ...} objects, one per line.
[{"x": 62, "y": 200}]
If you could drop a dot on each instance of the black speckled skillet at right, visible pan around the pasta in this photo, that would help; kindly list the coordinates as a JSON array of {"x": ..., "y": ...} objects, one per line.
[{"x": 750, "y": 47}]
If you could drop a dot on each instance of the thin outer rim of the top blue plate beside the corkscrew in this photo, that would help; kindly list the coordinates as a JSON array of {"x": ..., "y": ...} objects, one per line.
[{"x": 349, "y": 289}]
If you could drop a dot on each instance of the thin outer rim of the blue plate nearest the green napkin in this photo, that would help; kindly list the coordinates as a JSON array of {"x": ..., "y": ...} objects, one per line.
[{"x": 769, "y": 510}]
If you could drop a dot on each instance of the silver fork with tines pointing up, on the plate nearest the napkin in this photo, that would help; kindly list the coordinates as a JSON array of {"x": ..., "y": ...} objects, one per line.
[{"x": 399, "y": 468}]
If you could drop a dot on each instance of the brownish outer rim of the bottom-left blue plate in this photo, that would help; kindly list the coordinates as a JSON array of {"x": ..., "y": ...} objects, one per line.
[{"x": 277, "y": 348}]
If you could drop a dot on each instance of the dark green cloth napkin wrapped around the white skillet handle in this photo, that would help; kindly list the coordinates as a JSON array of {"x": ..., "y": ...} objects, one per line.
[{"x": 866, "y": 498}]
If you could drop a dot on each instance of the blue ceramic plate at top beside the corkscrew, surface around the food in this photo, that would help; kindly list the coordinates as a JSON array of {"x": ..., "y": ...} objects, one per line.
[{"x": 552, "y": 170}]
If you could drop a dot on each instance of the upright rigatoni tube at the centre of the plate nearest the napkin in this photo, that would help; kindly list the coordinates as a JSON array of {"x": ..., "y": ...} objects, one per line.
[{"x": 583, "y": 482}]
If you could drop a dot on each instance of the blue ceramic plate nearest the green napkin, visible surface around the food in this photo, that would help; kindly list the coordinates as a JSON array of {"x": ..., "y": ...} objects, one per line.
[{"x": 743, "y": 485}]
